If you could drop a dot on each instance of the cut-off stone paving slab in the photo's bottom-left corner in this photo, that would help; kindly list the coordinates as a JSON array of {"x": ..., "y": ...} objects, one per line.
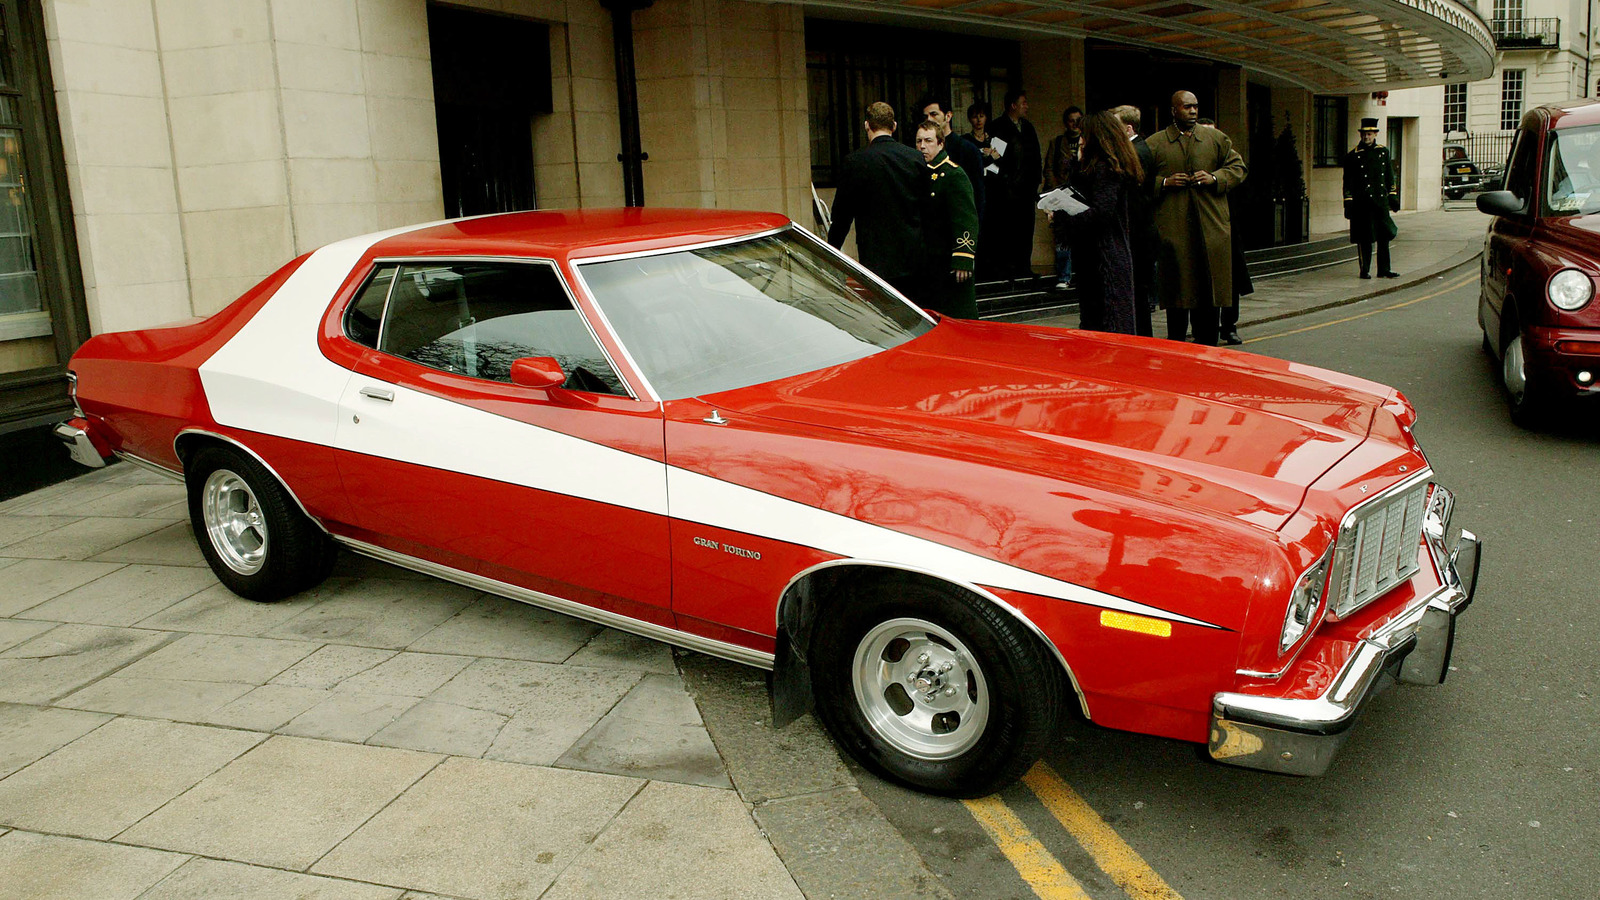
[{"x": 47, "y": 867}]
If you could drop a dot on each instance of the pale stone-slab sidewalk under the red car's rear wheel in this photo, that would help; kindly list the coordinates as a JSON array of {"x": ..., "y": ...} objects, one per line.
[{"x": 385, "y": 736}]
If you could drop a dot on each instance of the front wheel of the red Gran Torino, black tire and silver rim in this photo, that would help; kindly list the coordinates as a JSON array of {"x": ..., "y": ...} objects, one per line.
[{"x": 1018, "y": 678}]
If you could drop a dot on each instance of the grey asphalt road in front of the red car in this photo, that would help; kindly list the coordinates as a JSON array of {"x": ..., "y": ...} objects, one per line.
[{"x": 1481, "y": 789}]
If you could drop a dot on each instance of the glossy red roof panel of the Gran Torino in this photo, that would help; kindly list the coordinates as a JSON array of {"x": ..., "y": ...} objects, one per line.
[{"x": 570, "y": 235}]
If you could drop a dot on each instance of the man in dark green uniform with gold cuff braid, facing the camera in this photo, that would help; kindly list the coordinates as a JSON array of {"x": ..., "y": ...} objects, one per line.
[{"x": 950, "y": 227}]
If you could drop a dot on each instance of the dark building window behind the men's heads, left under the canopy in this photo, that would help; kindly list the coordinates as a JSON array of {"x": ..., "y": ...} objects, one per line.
[{"x": 850, "y": 65}]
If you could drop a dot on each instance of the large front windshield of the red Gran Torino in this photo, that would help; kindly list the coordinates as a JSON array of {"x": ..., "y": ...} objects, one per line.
[{"x": 738, "y": 315}]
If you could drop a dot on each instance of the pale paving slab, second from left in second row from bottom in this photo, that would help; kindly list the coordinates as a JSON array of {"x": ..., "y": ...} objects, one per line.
[{"x": 286, "y": 803}]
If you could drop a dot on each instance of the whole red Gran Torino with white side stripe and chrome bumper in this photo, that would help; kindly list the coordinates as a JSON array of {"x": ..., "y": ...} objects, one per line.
[{"x": 713, "y": 430}]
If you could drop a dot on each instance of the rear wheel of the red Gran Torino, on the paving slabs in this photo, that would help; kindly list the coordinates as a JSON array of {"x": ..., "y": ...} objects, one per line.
[{"x": 250, "y": 531}]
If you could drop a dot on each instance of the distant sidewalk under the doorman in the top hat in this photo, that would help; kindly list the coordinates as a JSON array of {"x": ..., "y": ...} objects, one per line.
[{"x": 1430, "y": 244}]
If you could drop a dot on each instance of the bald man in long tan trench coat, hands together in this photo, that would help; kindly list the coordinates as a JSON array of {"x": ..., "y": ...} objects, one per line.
[{"x": 1196, "y": 167}]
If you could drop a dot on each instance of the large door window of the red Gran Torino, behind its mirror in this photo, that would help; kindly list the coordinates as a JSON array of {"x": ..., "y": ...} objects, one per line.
[{"x": 476, "y": 319}]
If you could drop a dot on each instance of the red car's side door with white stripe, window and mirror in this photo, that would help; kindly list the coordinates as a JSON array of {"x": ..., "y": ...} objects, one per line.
[{"x": 444, "y": 459}]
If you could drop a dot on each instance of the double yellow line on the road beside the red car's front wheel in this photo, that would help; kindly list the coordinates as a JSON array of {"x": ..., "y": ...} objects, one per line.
[{"x": 1039, "y": 869}]
